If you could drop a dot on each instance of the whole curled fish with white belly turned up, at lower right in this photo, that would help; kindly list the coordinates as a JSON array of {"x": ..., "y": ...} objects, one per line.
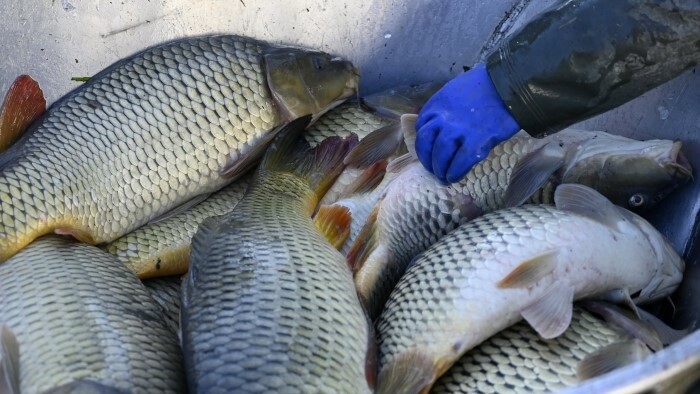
[{"x": 528, "y": 262}]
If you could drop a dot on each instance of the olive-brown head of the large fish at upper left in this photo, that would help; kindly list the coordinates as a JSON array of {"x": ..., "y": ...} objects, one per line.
[{"x": 308, "y": 82}]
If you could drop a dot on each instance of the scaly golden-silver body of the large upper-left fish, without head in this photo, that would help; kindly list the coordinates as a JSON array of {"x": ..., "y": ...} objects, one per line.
[{"x": 144, "y": 135}]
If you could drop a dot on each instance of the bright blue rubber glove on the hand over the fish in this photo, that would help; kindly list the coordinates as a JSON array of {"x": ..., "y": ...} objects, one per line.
[{"x": 460, "y": 124}]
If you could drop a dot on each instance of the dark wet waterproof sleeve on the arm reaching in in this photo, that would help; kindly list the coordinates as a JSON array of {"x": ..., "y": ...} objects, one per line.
[{"x": 585, "y": 57}]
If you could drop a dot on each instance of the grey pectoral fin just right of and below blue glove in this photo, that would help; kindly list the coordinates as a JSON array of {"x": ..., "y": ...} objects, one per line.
[{"x": 532, "y": 172}]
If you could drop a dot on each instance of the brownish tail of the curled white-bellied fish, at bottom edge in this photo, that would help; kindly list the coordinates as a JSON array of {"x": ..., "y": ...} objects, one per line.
[{"x": 411, "y": 372}]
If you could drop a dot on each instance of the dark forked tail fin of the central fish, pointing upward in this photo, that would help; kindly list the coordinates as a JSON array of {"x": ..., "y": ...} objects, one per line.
[{"x": 320, "y": 165}]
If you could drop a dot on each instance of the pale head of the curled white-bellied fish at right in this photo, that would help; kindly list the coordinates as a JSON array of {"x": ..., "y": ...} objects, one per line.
[{"x": 668, "y": 264}]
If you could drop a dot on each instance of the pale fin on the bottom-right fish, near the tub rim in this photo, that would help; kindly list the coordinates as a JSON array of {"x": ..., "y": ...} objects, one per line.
[{"x": 611, "y": 358}]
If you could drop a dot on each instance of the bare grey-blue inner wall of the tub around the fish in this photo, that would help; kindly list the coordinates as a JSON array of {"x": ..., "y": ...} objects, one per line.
[{"x": 393, "y": 42}]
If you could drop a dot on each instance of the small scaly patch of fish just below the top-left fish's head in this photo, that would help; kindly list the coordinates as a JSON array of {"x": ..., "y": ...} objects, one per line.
[{"x": 343, "y": 120}]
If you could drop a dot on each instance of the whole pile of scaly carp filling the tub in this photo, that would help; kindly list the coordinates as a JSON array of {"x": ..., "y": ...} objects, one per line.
[{"x": 220, "y": 214}]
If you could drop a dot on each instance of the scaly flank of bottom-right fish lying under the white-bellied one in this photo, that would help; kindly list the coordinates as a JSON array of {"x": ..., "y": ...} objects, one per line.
[{"x": 518, "y": 360}]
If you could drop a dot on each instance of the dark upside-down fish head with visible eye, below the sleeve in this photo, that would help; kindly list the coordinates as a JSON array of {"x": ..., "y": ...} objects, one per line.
[{"x": 630, "y": 173}]
